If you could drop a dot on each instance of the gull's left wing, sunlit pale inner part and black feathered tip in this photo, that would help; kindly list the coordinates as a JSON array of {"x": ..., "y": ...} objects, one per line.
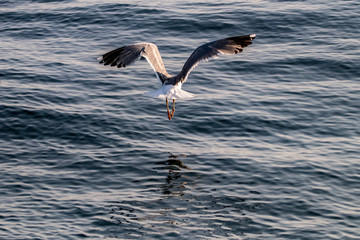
[{"x": 124, "y": 56}]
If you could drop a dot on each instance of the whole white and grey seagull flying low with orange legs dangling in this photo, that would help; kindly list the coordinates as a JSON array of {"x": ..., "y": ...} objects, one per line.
[{"x": 171, "y": 85}]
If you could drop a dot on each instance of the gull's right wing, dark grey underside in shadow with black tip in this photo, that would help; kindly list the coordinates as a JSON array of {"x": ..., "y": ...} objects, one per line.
[{"x": 227, "y": 46}]
